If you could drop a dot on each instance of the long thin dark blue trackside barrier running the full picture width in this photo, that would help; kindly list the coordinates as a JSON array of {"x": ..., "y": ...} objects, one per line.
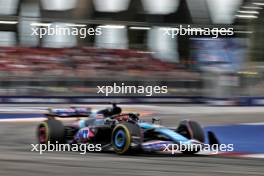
[{"x": 236, "y": 101}]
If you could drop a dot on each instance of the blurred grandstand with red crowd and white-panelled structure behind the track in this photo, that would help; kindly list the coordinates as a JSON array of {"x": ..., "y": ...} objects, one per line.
[{"x": 131, "y": 48}]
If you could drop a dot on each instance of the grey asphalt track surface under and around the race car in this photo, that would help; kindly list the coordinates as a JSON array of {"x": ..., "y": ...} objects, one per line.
[{"x": 16, "y": 159}]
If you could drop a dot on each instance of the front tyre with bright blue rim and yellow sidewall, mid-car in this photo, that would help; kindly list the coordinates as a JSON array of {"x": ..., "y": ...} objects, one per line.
[{"x": 123, "y": 136}]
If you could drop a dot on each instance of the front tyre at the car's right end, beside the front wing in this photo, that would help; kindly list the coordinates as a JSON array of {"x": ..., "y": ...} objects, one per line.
[{"x": 191, "y": 130}]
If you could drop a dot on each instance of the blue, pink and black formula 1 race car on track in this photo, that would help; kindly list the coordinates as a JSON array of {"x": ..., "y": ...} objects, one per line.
[{"x": 114, "y": 130}]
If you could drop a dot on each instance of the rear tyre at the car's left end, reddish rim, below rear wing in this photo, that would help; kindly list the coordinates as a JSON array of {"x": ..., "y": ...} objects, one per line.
[{"x": 51, "y": 130}]
